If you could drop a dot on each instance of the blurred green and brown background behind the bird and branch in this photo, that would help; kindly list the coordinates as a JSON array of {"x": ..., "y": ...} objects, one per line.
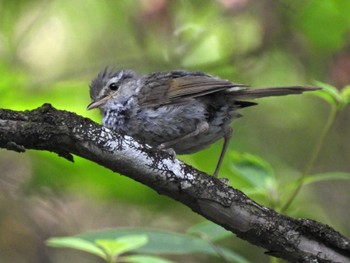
[{"x": 51, "y": 50}]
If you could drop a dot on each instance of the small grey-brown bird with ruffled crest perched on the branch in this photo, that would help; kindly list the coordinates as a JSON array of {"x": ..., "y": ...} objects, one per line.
[{"x": 178, "y": 111}]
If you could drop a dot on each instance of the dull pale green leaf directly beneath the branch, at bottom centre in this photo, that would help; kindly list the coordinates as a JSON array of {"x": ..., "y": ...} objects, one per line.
[{"x": 211, "y": 230}]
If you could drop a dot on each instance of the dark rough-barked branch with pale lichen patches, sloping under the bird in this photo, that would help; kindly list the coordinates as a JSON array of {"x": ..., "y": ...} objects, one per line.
[{"x": 65, "y": 133}]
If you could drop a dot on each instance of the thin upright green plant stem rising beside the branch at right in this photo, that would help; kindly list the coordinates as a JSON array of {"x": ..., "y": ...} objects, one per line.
[{"x": 313, "y": 157}]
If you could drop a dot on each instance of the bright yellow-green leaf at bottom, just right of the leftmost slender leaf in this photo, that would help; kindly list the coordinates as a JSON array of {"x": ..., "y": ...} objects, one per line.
[{"x": 115, "y": 247}]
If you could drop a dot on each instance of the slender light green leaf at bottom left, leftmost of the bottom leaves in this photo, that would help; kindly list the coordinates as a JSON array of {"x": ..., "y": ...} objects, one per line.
[{"x": 76, "y": 243}]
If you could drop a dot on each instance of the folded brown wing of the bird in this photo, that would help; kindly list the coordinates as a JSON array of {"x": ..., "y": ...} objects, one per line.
[{"x": 178, "y": 87}]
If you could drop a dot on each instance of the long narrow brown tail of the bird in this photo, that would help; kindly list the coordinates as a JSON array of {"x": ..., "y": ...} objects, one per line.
[{"x": 249, "y": 93}]
